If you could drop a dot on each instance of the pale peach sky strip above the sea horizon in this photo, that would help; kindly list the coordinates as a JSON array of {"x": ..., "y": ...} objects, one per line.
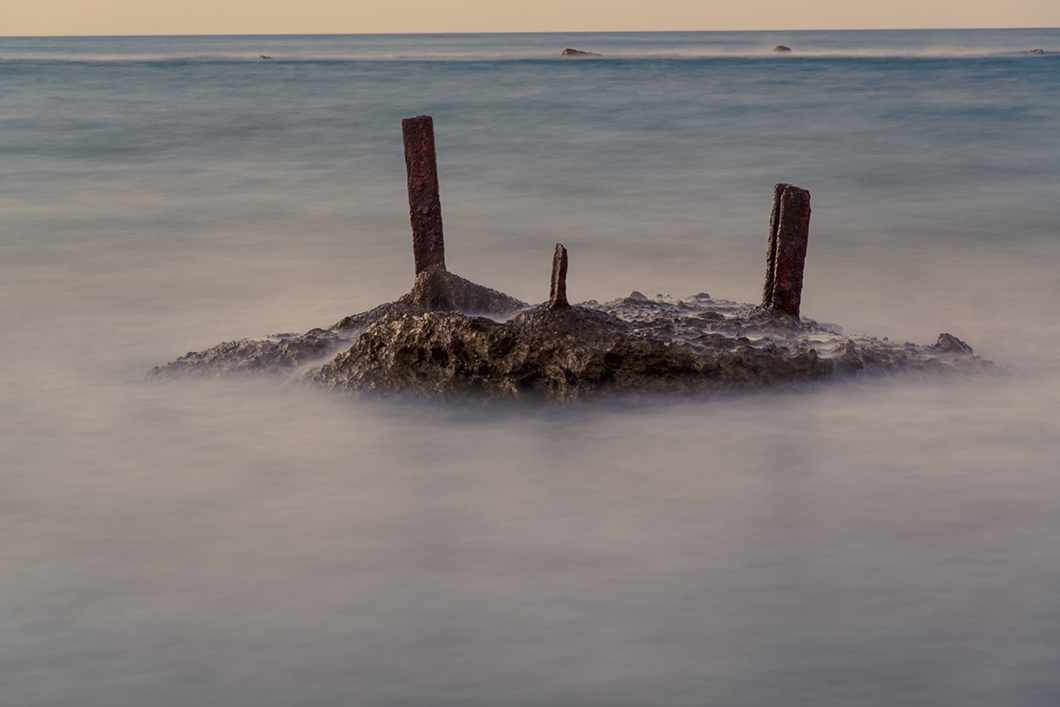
[{"x": 155, "y": 17}]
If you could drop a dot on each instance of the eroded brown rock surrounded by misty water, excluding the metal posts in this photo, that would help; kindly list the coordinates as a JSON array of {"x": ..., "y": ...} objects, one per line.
[{"x": 631, "y": 346}]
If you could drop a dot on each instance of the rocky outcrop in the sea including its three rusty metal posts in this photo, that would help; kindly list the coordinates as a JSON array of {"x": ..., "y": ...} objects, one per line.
[{"x": 434, "y": 342}]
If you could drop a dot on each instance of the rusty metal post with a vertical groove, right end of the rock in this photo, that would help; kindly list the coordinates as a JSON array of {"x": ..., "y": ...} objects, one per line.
[{"x": 786, "y": 258}]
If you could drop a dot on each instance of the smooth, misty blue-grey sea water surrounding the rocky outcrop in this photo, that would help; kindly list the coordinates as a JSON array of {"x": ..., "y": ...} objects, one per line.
[{"x": 878, "y": 542}]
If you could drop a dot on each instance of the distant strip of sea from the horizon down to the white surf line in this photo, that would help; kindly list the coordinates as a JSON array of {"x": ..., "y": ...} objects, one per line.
[{"x": 502, "y": 48}]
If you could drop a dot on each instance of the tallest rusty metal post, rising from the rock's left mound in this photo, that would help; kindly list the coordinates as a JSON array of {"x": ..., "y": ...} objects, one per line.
[{"x": 425, "y": 205}]
